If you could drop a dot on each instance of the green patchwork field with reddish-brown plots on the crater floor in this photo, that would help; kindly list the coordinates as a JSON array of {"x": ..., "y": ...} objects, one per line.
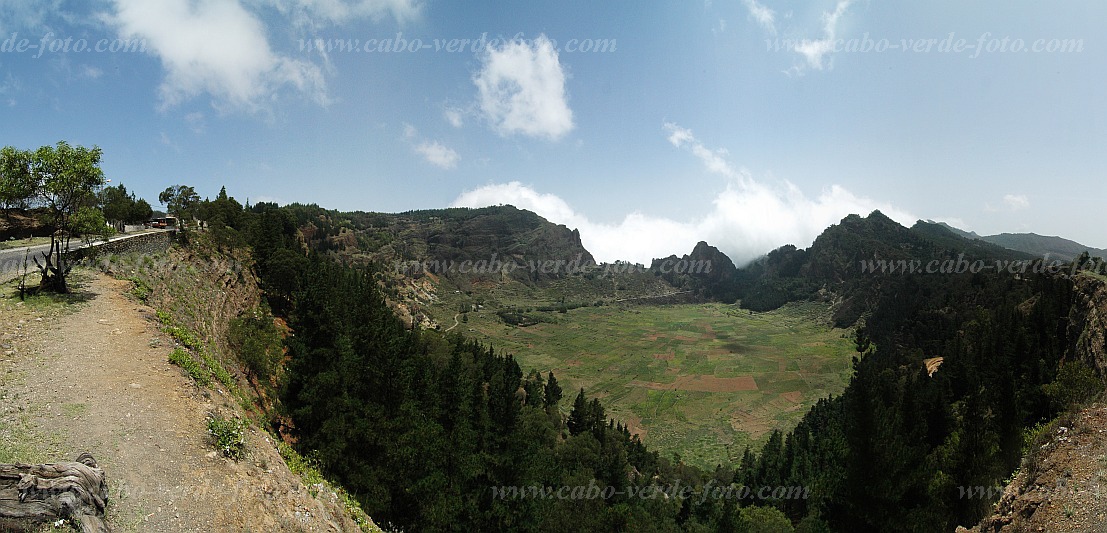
[{"x": 699, "y": 381}]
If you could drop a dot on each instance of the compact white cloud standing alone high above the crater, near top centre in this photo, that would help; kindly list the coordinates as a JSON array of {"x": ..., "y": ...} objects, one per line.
[{"x": 522, "y": 90}]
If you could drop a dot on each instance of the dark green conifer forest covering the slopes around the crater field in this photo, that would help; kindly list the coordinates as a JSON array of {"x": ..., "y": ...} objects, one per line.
[{"x": 891, "y": 453}]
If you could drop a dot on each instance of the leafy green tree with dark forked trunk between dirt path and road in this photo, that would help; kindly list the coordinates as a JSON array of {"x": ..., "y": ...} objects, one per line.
[{"x": 67, "y": 179}]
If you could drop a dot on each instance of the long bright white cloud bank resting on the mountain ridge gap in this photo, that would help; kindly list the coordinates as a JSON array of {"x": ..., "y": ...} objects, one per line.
[{"x": 746, "y": 220}]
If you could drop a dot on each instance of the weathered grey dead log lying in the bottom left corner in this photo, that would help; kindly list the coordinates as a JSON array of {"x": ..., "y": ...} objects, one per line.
[{"x": 38, "y": 494}]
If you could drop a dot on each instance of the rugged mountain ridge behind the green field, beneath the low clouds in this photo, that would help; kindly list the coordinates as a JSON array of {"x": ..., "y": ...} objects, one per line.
[{"x": 834, "y": 269}]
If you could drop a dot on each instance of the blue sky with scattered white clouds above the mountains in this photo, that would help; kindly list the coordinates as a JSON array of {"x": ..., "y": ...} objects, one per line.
[{"x": 647, "y": 126}]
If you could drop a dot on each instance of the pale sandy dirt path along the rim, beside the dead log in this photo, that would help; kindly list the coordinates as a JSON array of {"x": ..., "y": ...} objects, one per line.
[{"x": 101, "y": 374}]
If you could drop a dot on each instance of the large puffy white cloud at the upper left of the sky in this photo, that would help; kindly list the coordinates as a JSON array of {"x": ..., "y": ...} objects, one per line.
[{"x": 216, "y": 48}]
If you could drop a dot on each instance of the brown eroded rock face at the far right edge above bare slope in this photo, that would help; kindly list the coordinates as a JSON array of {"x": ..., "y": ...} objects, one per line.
[{"x": 1088, "y": 321}]
